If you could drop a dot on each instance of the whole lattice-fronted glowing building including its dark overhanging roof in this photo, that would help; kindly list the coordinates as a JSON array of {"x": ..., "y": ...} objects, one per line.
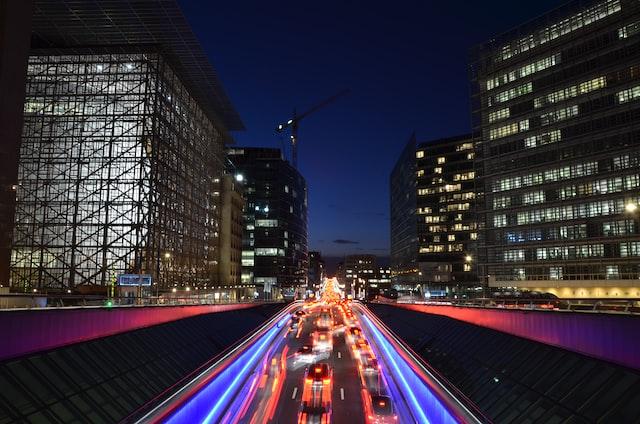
[{"x": 122, "y": 144}]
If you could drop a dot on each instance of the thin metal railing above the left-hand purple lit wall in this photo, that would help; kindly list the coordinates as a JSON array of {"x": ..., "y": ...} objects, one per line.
[{"x": 40, "y": 301}]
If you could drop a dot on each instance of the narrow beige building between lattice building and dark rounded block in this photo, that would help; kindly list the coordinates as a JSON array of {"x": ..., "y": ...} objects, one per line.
[{"x": 231, "y": 225}]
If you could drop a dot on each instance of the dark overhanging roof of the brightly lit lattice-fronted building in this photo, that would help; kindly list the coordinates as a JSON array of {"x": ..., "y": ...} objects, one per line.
[{"x": 95, "y": 24}]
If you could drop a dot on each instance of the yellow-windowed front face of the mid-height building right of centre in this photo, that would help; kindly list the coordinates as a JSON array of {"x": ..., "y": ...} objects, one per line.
[{"x": 445, "y": 211}]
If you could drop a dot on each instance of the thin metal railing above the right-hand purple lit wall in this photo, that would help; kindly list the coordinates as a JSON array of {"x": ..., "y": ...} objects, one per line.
[{"x": 599, "y": 305}]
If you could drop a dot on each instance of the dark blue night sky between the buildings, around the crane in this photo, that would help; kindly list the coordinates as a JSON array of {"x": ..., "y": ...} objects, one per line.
[{"x": 405, "y": 63}]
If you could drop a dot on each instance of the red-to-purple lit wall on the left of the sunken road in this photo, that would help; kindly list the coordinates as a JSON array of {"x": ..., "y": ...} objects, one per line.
[{"x": 34, "y": 330}]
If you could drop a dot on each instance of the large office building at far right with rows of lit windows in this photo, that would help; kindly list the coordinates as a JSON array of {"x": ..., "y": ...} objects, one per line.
[{"x": 556, "y": 106}]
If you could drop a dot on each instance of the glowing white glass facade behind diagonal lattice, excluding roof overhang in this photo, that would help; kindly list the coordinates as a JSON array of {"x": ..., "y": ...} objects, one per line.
[{"x": 117, "y": 174}]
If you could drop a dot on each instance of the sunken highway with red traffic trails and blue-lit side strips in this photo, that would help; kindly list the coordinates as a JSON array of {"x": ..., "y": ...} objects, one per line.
[{"x": 318, "y": 361}]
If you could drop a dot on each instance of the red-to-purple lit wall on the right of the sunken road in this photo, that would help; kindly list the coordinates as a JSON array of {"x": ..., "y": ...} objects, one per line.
[{"x": 610, "y": 337}]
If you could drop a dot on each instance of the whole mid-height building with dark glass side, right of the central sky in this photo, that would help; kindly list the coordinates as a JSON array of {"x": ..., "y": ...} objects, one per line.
[{"x": 433, "y": 221}]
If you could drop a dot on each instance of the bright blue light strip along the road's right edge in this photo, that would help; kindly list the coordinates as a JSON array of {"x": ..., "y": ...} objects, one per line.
[{"x": 426, "y": 407}]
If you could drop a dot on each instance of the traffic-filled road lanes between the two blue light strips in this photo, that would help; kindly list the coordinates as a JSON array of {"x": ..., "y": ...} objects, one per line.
[{"x": 319, "y": 336}]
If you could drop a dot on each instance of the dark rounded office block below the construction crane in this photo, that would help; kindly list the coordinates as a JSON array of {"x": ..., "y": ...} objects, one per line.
[{"x": 274, "y": 245}]
